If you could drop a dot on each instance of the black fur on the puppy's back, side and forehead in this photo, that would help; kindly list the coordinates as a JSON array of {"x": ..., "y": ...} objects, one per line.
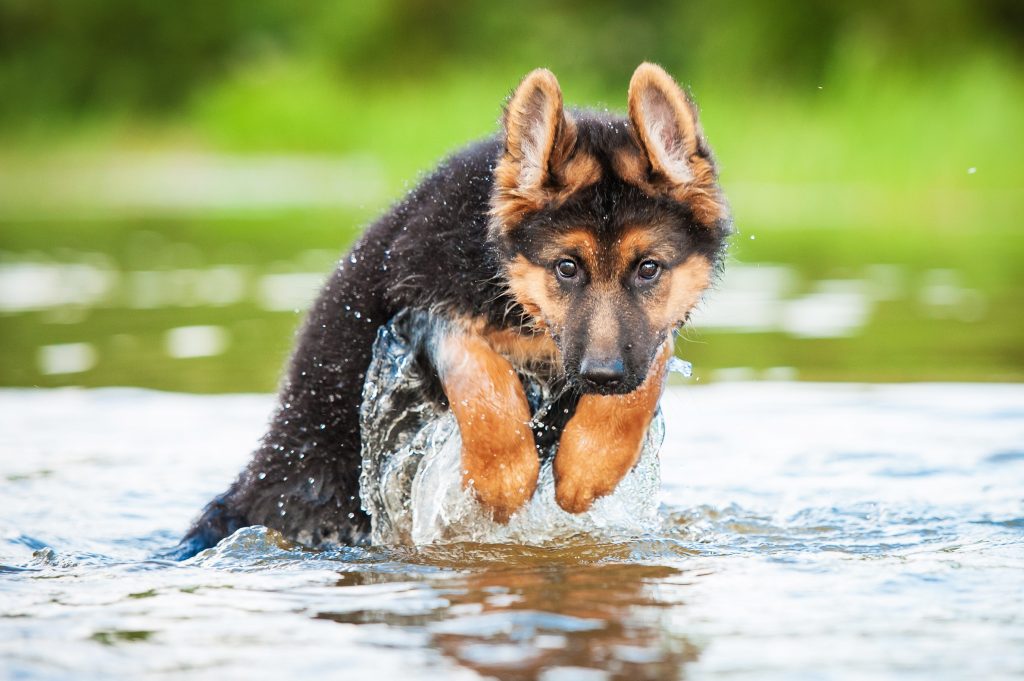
[{"x": 430, "y": 252}]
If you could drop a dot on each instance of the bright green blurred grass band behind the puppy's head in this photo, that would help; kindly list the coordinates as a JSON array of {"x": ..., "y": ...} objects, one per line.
[{"x": 875, "y": 142}]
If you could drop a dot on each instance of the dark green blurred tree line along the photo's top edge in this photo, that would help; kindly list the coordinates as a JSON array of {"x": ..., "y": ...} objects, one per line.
[{"x": 148, "y": 57}]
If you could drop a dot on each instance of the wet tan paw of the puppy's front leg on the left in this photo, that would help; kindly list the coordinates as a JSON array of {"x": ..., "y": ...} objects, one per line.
[{"x": 502, "y": 482}]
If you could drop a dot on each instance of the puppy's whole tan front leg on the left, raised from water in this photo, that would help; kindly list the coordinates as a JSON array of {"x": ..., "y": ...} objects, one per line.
[{"x": 499, "y": 457}]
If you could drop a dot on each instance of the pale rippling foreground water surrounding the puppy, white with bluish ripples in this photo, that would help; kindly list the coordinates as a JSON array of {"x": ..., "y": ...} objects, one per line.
[{"x": 820, "y": 532}]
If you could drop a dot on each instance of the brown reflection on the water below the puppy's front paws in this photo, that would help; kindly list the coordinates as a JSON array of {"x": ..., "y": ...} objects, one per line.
[{"x": 515, "y": 622}]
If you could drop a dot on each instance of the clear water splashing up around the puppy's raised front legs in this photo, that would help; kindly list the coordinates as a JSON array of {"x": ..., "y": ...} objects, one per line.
[{"x": 411, "y": 481}]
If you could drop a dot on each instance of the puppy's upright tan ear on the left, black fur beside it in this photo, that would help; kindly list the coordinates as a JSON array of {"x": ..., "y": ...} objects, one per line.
[{"x": 539, "y": 136}]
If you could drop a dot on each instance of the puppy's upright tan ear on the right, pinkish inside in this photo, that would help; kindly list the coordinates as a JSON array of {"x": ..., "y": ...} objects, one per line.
[{"x": 666, "y": 123}]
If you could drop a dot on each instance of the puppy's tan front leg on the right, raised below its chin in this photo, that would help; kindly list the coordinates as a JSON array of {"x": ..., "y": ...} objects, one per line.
[{"x": 603, "y": 442}]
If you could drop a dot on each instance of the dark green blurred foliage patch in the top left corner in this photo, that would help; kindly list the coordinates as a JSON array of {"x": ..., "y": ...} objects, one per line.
[{"x": 64, "y": 57}]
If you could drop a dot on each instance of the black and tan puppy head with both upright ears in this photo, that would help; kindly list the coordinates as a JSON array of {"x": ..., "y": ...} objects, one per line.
[{"x": 610, "y": 229}]
